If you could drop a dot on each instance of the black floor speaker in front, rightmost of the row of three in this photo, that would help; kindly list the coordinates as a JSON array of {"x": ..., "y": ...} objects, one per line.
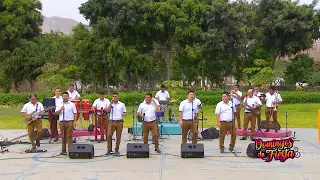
[{"x": 192, "y": 150}]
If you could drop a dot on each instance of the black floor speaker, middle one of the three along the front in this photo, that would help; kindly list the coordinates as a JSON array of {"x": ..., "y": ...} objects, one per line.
[{"x": 137, "y": 150}]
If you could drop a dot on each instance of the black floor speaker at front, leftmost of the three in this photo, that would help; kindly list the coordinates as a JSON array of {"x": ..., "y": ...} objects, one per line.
[{"x": 81, "y": 151}]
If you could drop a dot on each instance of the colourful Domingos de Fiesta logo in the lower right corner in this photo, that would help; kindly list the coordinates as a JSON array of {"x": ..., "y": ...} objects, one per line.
[{"x": 279, "y": 150}]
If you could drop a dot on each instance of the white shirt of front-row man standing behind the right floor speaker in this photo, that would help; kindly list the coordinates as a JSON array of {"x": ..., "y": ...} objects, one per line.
[{"x": 186, "y": 108}]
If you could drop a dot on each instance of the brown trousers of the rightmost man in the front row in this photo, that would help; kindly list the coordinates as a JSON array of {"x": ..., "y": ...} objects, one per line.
[{"x": 227, "y": 126}]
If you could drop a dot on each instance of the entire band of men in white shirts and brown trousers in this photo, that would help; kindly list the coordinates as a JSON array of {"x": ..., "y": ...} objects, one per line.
[{"x": 226, "y": 111}]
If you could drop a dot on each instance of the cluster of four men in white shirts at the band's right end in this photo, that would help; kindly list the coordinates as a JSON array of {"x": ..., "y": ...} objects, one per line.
[{"x": 229, "y": 109}]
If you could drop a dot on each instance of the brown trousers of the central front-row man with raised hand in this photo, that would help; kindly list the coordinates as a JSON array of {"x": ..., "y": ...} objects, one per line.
[{"x": 153, "y": 127}]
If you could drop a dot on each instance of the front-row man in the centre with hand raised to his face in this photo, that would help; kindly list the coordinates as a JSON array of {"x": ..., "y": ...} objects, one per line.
[{"x": 147, "y": 111}]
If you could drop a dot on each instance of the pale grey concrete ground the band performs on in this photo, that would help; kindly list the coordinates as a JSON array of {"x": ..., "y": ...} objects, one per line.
[{"x": 168, "y": 166}]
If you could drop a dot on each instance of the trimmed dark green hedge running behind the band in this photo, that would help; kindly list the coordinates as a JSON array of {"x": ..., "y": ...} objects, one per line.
[{"x": 134, "y": 98}]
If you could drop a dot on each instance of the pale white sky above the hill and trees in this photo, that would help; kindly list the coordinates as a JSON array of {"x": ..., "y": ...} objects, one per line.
[{"x": 69, "y": 8}]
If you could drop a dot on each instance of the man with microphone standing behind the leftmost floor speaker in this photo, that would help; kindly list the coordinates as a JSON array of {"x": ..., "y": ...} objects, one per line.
[{"x": 67, "y": 116}]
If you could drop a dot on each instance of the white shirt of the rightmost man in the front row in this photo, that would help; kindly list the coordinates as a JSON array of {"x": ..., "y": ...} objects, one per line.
[{"x": 225, "y": 111}]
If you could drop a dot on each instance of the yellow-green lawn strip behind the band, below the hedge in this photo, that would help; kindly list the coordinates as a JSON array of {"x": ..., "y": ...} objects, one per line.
[{"x": 299, "y": 116}]
